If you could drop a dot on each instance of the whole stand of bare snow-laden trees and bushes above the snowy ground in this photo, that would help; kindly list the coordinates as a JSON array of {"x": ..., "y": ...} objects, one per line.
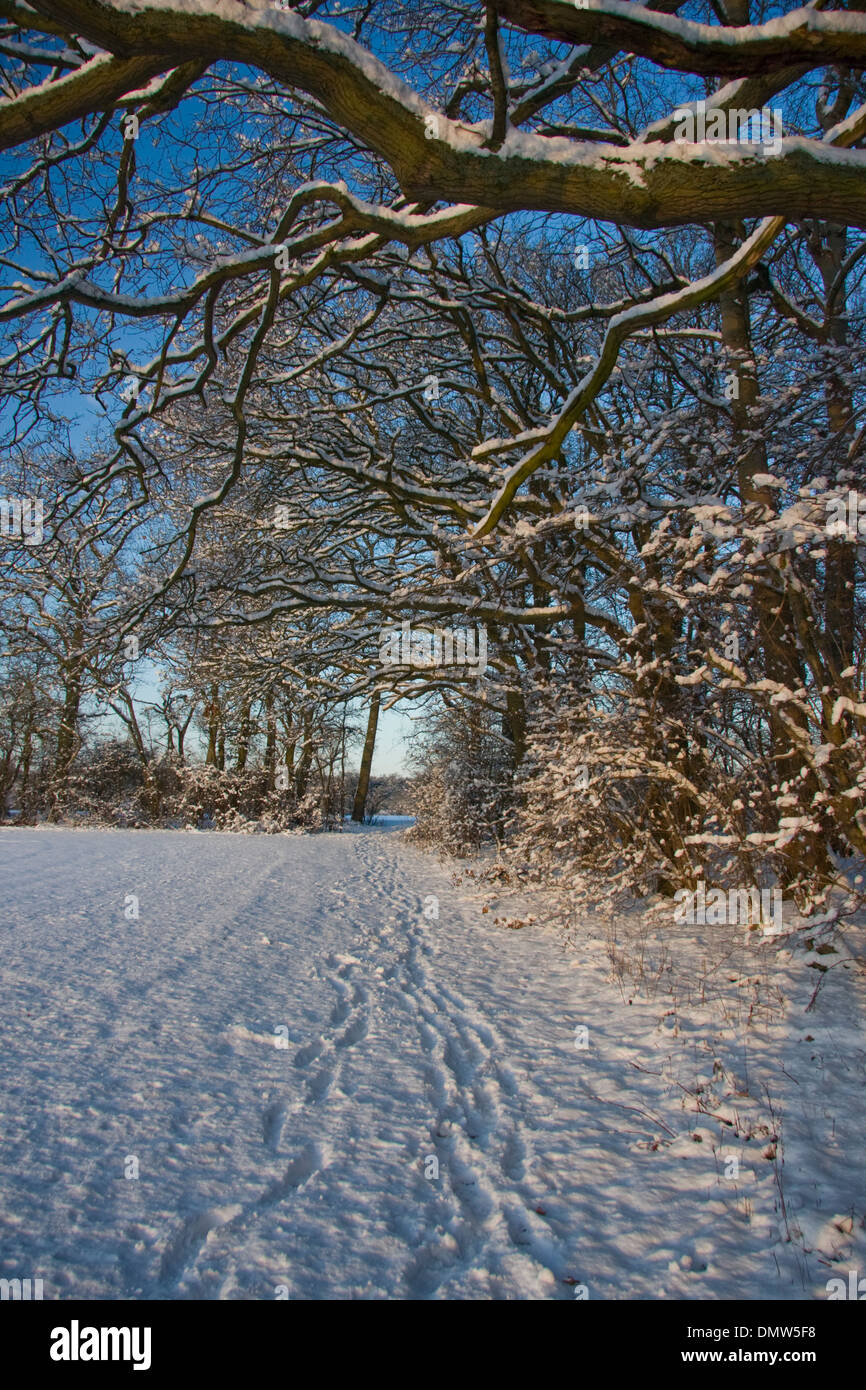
[{"x": 608, "y": 415}]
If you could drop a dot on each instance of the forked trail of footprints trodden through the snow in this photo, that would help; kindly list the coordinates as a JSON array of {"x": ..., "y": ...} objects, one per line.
[{"x": 476, "y": 1102}]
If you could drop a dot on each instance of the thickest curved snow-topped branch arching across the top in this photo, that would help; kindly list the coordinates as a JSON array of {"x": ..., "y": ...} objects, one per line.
[{"x": 436, "y": 159}]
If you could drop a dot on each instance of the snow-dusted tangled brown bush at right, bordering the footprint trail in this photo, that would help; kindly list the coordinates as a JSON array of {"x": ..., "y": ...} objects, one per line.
[{"x": 618, "y": 800}]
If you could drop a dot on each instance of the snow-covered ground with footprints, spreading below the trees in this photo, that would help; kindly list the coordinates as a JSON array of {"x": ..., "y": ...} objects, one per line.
[{"x": 287, "y": 1050}]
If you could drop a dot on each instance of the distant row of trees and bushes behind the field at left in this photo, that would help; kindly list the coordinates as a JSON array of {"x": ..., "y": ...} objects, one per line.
[{"x": 80, "y": 742}]
